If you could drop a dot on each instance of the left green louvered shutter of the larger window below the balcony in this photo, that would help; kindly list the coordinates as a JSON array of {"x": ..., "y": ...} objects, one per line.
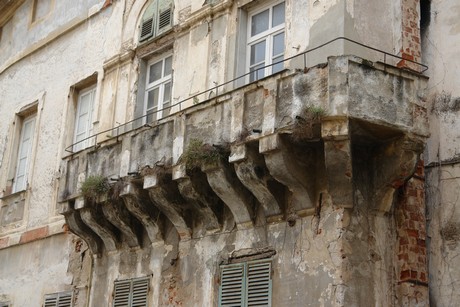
[{"x": 231, "y": 290}]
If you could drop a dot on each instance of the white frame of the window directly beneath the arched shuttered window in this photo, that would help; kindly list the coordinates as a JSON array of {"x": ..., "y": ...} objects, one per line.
[{"x": 158, "y": 111}]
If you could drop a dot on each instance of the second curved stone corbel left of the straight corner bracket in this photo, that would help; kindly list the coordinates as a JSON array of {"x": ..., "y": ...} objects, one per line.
[{"x": 251, "y": 170}]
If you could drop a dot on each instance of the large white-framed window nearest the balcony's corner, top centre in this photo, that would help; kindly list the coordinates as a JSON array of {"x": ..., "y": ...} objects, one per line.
[{"x": 265, "y": 43}]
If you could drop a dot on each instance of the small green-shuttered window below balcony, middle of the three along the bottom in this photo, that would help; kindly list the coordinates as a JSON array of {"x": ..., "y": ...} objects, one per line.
[{"x": 131, "y": 293}]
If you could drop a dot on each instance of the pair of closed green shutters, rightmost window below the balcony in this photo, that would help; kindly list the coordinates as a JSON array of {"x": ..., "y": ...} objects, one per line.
[{"x": 245, "y": 284}]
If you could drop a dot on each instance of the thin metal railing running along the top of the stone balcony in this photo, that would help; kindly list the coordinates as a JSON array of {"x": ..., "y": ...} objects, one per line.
[{"x": 139, "y": 121}]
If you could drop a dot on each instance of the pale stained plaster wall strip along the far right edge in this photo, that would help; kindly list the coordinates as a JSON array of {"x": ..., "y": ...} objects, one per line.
[{"x": 440, "y": 52}]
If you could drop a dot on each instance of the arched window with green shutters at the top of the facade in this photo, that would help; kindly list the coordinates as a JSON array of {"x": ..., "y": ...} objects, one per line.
[{"x": 156, "y": 20}]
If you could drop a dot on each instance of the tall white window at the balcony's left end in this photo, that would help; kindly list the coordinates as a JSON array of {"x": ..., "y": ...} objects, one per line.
[{"x": 84, "y": 119}]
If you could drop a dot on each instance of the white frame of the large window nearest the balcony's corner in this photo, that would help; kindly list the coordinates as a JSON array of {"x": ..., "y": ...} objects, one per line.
[{"x": 267, "y": 36}]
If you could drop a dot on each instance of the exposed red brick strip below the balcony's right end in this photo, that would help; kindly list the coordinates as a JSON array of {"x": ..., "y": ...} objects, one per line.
[{"x": 411, "y": 230}]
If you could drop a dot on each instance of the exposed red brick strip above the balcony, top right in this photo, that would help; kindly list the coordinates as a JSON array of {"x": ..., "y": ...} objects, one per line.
[{"x": 410, "y": 33}]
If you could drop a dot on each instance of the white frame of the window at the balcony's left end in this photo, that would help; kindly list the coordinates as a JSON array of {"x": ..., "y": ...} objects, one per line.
[{"x": 81, "y": 143}]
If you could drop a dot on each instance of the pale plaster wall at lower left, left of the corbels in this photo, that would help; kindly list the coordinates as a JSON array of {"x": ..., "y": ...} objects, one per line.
[{"x": 30, "y": 271}]
